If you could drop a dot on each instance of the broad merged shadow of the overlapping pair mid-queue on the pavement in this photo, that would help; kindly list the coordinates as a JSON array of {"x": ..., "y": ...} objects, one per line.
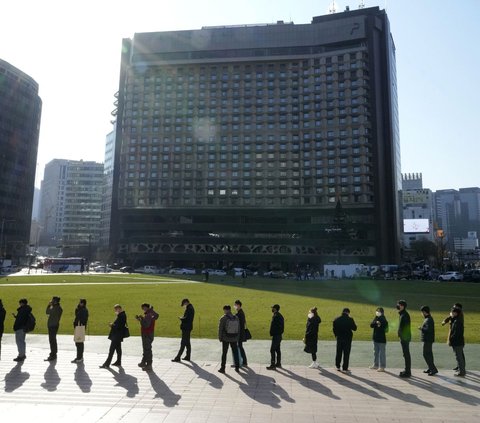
[{"x": 261, "y": 388}]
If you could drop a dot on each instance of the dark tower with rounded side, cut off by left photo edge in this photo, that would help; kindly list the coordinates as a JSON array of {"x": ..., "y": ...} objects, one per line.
[{"x": 20, "y": 110}]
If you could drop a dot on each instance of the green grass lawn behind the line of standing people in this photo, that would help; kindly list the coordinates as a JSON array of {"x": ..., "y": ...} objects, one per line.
[{"x": 257, "y": 295}]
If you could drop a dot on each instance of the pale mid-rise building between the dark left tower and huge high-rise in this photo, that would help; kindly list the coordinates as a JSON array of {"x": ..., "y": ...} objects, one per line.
[{"x": 71, "y": 201}]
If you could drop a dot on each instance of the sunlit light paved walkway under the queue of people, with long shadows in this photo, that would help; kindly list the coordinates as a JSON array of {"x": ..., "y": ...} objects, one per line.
[{"x": 196, "y": 392}]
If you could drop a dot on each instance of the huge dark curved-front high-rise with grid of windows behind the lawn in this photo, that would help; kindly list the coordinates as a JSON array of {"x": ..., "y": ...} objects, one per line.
[{"x": 237, "y": 144}]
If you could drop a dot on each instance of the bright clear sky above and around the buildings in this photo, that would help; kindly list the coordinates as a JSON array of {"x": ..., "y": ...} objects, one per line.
[{"x": 72, "y": 49}]
